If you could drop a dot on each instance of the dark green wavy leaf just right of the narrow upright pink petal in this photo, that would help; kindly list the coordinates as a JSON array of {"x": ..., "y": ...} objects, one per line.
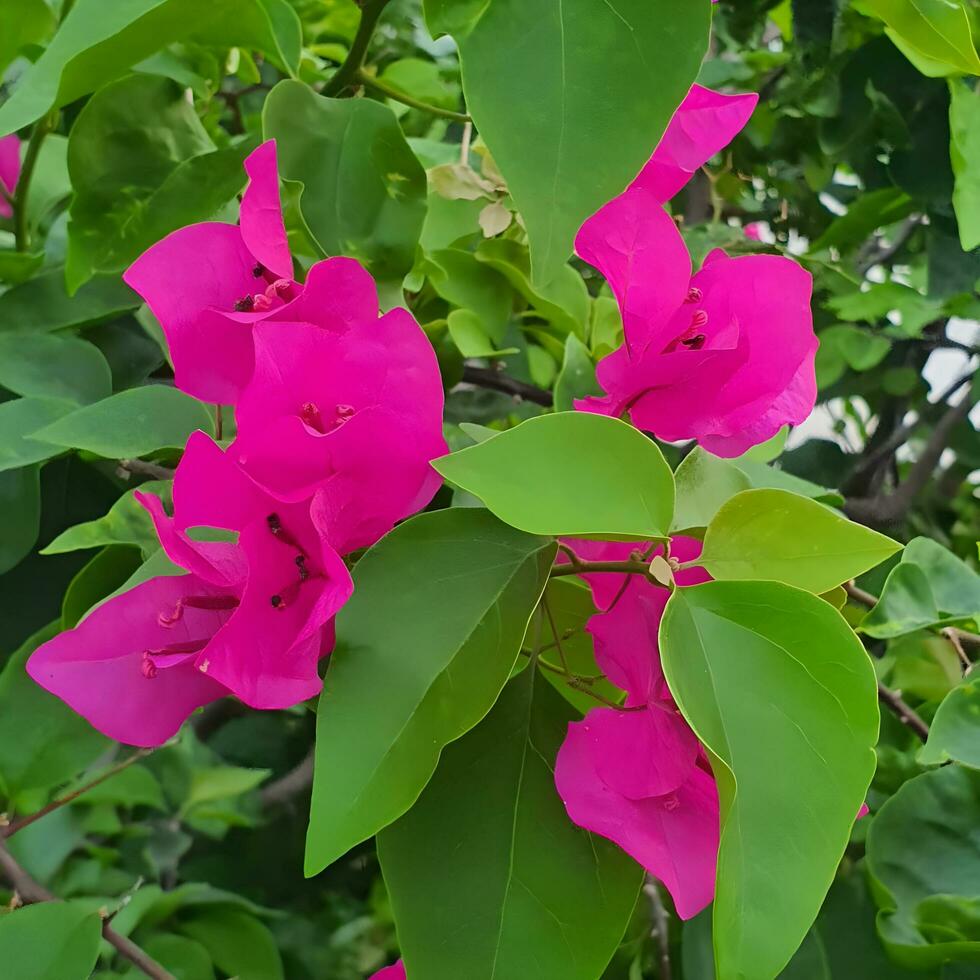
[{"x": 364, "y": 191}]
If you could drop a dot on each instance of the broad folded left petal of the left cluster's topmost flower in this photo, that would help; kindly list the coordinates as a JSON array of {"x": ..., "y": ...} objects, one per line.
[{"x": 188, "y": 279}]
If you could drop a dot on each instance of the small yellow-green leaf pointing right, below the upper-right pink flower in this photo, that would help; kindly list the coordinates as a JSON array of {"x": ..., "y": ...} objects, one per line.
[{"x": 780, "y": 536}]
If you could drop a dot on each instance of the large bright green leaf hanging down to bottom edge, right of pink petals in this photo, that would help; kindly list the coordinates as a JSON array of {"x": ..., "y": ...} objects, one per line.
[{"x": 783, "y": 696}]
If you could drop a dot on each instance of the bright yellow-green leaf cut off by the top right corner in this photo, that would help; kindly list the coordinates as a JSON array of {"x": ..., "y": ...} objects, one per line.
[{"x": 939, "y": 30}]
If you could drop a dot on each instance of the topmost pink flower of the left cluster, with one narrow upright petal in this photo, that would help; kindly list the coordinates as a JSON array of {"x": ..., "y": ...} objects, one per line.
[{"x": 208, "y": 283}]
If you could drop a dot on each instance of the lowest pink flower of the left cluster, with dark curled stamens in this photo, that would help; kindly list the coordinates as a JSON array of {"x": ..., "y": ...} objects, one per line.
[{"x": 250, "y": 619}]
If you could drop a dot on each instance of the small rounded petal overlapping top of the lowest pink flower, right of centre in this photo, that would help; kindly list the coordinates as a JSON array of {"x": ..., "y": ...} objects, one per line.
[{"x": 648, "y": 752}]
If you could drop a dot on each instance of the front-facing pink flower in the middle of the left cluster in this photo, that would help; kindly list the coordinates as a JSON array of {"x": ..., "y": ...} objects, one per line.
[{"x": 350, "y": 407}]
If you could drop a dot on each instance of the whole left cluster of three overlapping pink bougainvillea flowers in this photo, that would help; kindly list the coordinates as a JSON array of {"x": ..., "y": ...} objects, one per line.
[{"x": 338, "y": 413}]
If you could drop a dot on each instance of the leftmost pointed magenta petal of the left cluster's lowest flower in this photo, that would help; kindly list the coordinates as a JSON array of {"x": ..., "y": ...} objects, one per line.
[{"x": 96, "y": 668}]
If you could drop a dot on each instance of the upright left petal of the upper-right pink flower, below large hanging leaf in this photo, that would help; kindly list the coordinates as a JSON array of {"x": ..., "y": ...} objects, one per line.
[{"x": 635, "y": 244}]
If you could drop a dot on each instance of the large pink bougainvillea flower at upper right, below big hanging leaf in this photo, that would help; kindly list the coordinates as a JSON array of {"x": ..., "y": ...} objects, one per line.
[{"x": 725, "y": 357}]
